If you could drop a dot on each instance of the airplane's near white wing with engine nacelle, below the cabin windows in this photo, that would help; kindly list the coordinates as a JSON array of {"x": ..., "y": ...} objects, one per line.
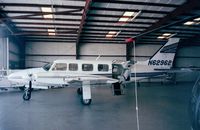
[{"x": 62, "y": 79}]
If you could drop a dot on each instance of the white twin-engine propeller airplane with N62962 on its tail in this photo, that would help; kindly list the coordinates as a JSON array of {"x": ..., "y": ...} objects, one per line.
[{"x": 87, "y": 73}]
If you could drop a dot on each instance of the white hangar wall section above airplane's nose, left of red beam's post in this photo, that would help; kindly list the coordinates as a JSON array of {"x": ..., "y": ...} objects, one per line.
[{"x": 48, "y": 52}]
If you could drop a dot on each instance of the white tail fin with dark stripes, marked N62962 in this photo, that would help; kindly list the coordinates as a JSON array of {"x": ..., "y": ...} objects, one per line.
[{"x": 164, "y": 57}]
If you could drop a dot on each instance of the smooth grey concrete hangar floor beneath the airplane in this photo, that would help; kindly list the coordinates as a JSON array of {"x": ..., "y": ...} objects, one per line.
[{"x": 161, "y": 107}]
